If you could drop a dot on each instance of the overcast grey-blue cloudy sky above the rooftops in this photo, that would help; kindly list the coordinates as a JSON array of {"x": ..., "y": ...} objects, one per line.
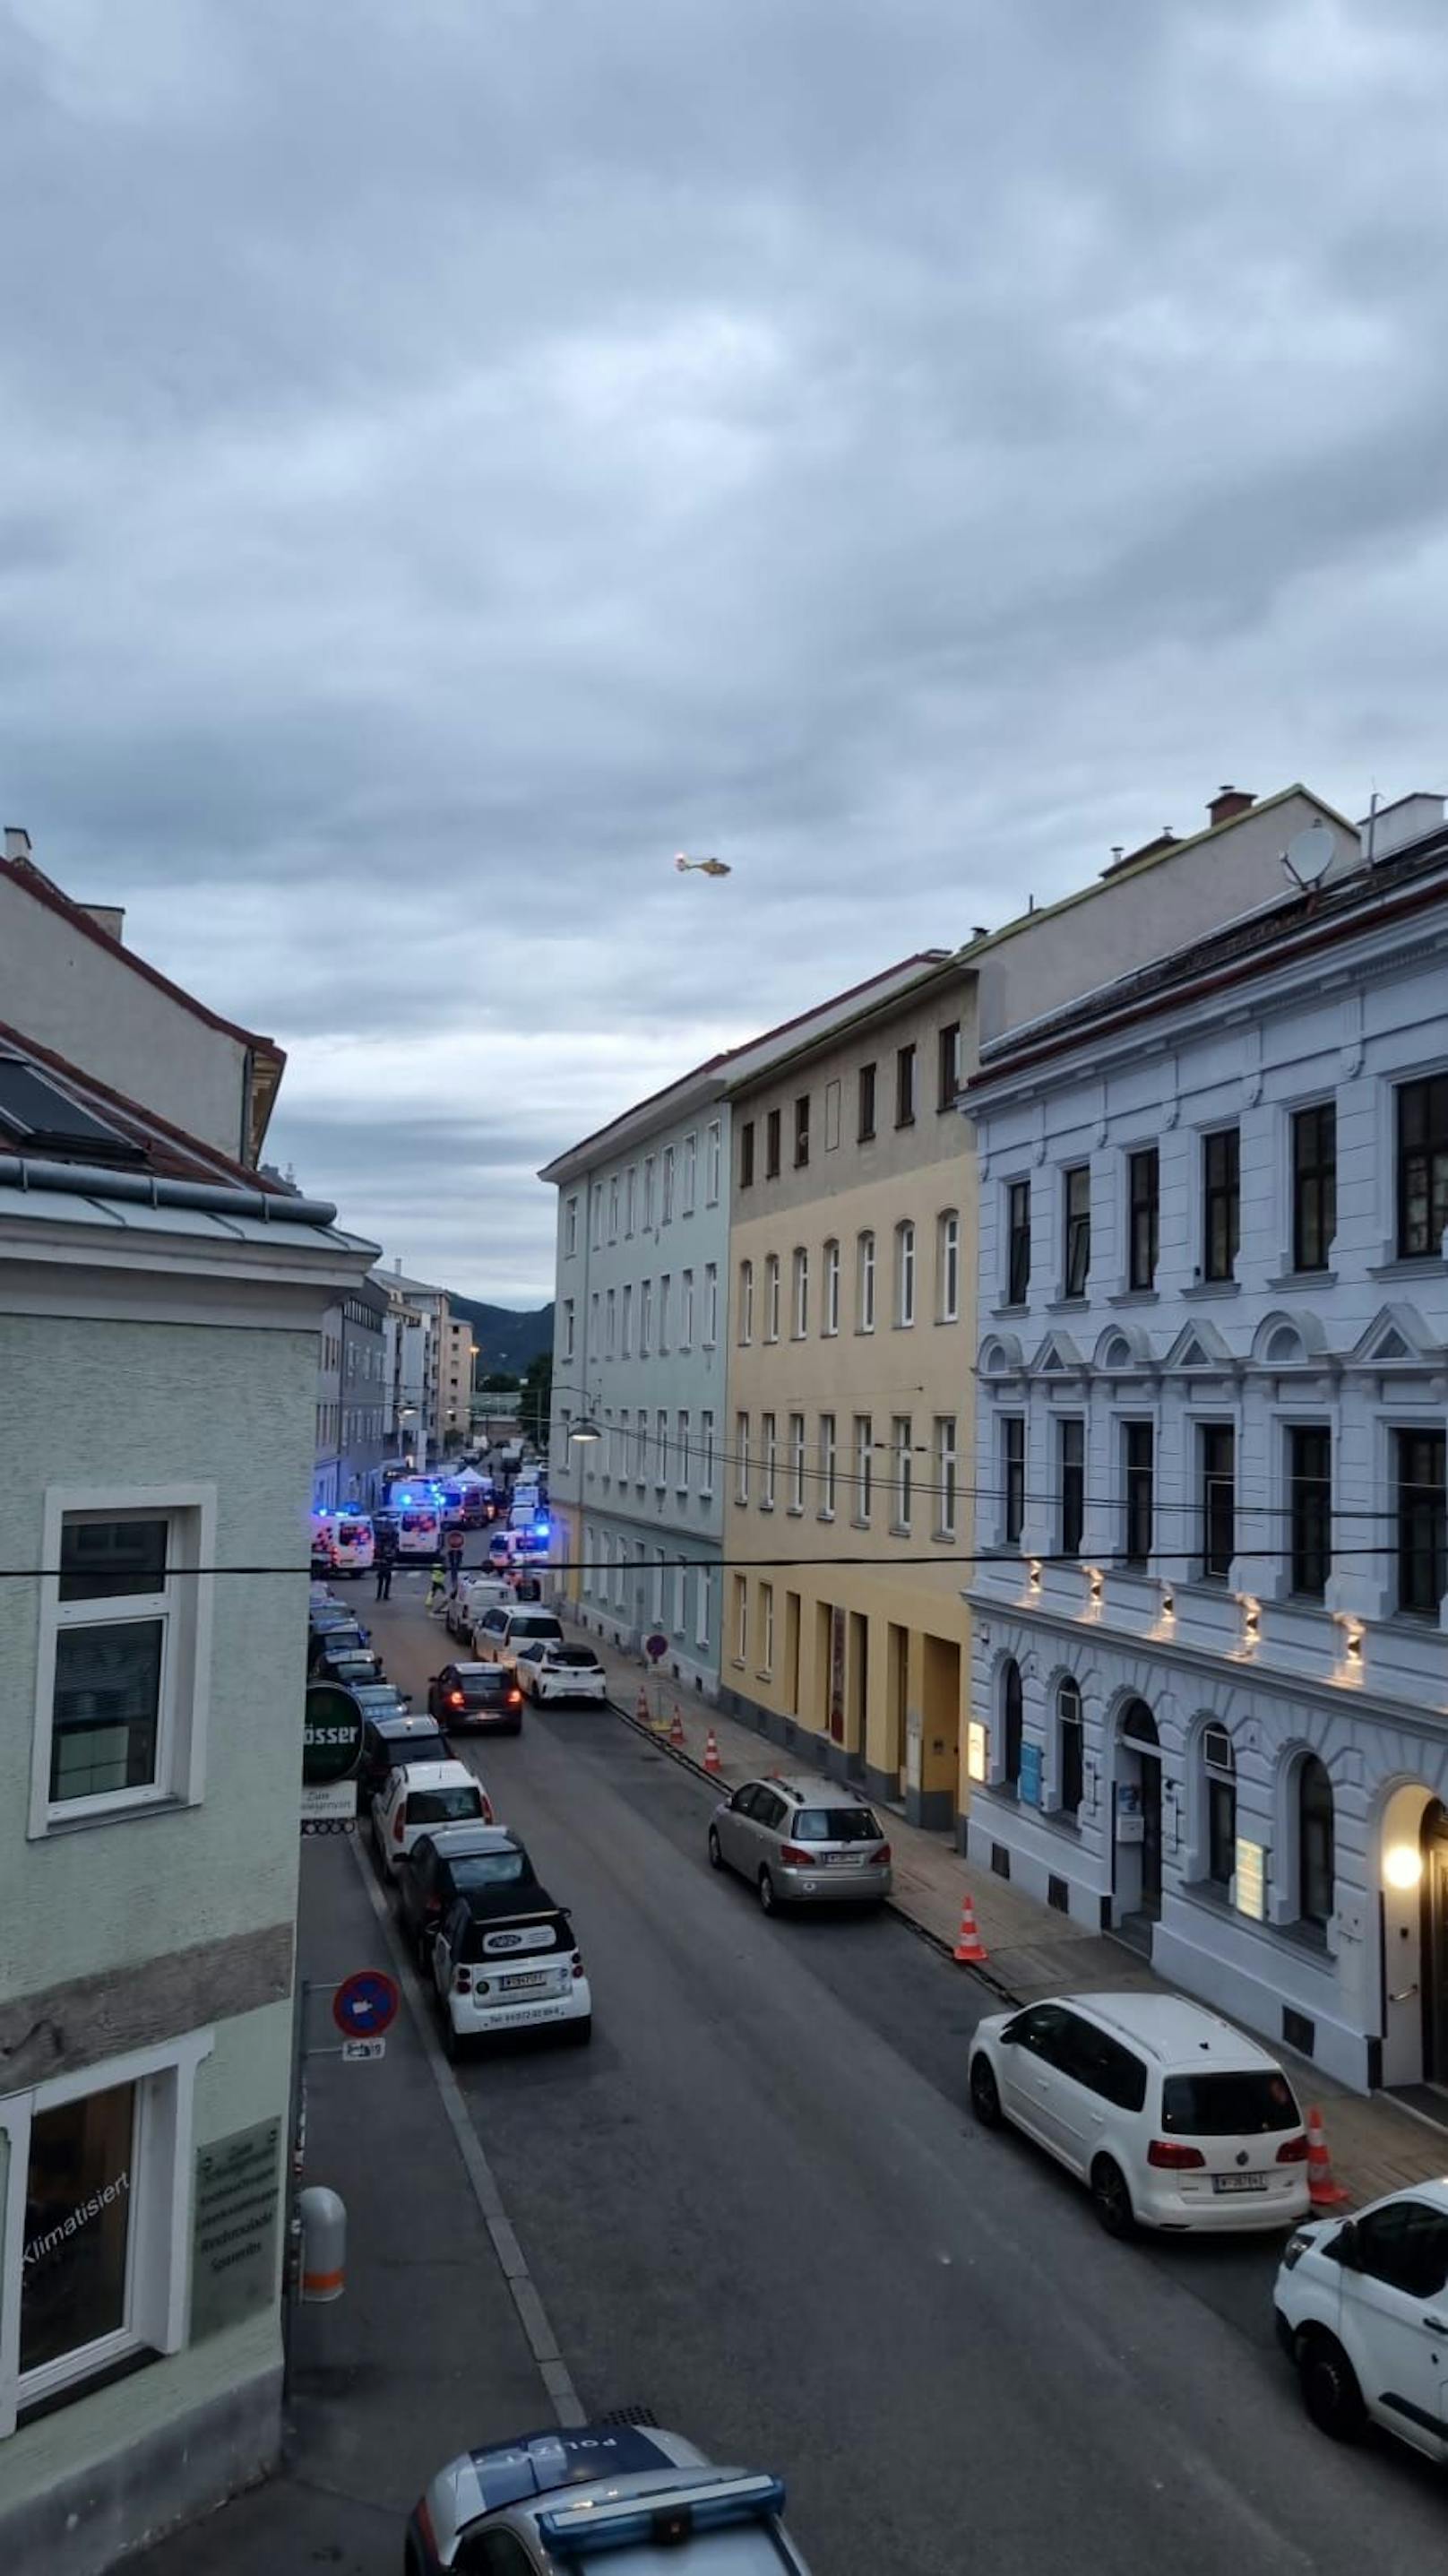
[{"x": 460, "y": 452}]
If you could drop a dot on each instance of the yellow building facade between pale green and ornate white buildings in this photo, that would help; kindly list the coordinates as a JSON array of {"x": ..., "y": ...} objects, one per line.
[{"x": 849, "y": 1400}]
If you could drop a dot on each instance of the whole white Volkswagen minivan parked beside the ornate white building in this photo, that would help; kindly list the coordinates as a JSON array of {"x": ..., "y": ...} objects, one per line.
[{"x": 1166, "y": 2111}]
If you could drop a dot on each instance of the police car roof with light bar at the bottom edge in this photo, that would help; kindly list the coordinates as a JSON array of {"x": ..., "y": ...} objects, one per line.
[{"x": 620, "y": 2495}]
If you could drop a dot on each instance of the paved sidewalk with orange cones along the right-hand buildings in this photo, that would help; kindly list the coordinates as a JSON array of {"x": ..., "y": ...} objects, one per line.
[{"x": 1032, "y": 1951}]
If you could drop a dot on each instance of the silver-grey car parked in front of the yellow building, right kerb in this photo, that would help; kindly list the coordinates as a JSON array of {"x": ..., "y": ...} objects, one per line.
[{"x": 803, "y": 1843}]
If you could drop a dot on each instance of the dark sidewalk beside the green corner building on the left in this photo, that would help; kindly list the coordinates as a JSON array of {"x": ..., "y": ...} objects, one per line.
[{"x": 424, "y": 2356}]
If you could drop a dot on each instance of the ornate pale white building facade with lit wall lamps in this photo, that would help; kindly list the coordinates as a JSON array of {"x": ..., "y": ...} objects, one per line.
[{"x": 1210, "y": 1609}]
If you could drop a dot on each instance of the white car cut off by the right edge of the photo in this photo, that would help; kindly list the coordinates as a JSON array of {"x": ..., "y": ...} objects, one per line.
[{"x": 1362, "y": 2309}]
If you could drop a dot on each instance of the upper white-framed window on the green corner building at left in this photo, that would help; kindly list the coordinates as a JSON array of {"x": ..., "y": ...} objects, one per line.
[{"x": 122, "y": 1668}]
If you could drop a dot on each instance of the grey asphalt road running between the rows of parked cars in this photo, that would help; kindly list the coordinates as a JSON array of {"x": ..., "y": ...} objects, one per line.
[{"x": 759, "y": 2204}]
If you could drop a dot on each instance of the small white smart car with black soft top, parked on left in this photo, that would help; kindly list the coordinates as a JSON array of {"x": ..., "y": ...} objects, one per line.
[{"x": 506, "y": 1959}]
